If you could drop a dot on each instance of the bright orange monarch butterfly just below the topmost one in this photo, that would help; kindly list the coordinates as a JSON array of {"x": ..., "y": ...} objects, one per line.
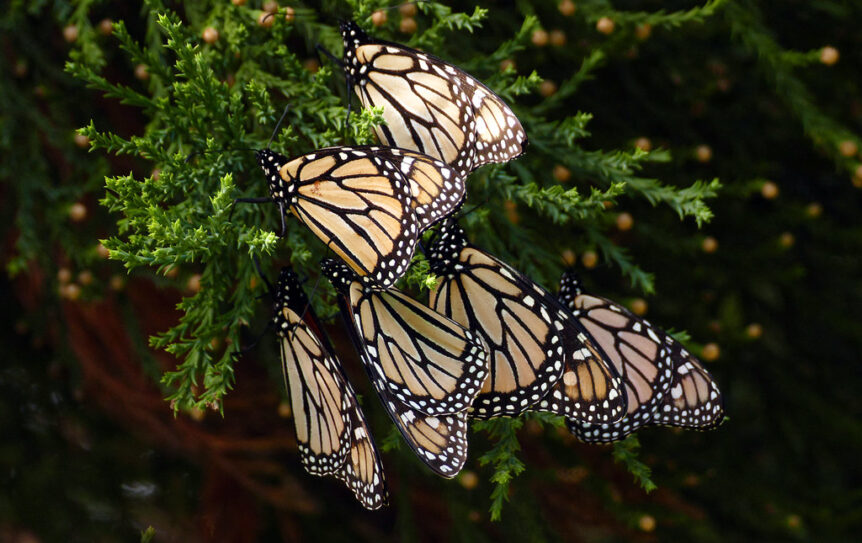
[{"x": 369, "y": 204}]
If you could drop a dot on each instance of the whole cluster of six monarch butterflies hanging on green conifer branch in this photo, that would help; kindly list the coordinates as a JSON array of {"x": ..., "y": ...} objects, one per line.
[{"x": 490, "y": 342}]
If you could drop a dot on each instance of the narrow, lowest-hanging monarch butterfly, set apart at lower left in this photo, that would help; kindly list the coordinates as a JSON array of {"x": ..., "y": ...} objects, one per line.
[{"x": 331, "y": 431}]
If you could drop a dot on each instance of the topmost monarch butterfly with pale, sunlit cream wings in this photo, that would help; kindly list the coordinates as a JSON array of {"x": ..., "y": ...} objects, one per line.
[{"x": 429, "y": 105}]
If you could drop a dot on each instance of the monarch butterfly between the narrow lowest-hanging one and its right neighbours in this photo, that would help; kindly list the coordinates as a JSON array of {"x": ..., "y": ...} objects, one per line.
[{"x": 425, "y": 368}]
